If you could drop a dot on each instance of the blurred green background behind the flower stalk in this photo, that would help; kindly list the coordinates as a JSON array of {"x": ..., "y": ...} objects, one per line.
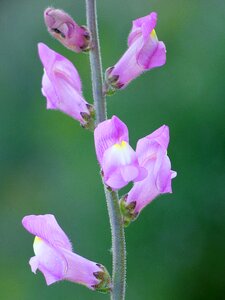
[{"x": 176, "y": 249}]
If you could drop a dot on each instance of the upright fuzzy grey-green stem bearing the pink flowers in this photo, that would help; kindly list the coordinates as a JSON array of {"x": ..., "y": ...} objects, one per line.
[{"x": 116, "y": 223}]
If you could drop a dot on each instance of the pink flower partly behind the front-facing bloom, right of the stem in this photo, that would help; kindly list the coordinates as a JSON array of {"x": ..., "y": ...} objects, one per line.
[{"x": 152, "y": 155}]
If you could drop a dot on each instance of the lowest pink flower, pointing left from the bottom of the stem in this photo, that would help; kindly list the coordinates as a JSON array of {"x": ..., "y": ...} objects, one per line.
[{"x": 55, "y": 258}]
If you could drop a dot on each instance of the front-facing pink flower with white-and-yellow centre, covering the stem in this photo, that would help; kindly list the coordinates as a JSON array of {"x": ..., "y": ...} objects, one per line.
[{"x": 118, "y": 160}]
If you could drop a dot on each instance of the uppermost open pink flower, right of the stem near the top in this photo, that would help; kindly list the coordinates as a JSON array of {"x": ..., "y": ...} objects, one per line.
[{"x": 144, "y": 53}]
